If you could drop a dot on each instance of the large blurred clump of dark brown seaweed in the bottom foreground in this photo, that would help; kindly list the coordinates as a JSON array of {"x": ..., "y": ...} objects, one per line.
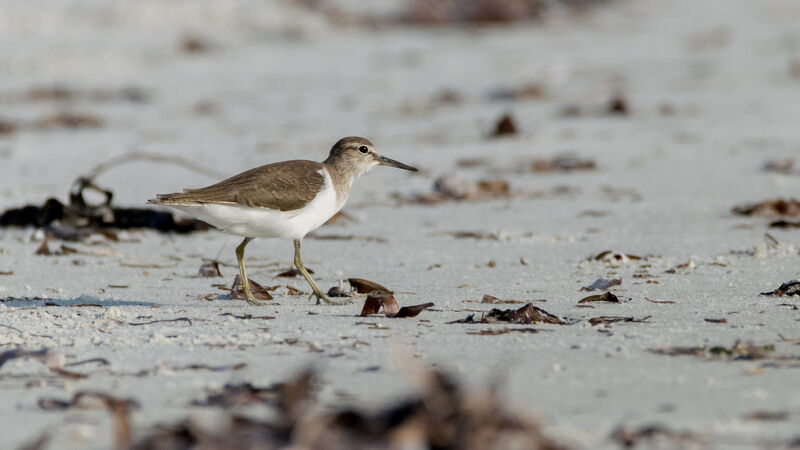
[{"x": 442, "y": 415}]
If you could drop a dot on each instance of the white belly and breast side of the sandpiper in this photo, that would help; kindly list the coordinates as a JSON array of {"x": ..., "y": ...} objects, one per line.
[{"x": 264, "y": 222}]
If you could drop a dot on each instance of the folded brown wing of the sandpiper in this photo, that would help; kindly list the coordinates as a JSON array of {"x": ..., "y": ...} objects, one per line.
[{"x": 283, "y": 186}]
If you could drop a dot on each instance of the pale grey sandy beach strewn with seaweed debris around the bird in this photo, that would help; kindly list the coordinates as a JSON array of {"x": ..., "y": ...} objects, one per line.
[{"x": 639, "y": 127}]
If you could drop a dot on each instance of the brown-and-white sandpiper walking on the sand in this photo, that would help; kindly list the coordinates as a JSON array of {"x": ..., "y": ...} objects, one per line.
[{"x": 282, "y": 200}]
